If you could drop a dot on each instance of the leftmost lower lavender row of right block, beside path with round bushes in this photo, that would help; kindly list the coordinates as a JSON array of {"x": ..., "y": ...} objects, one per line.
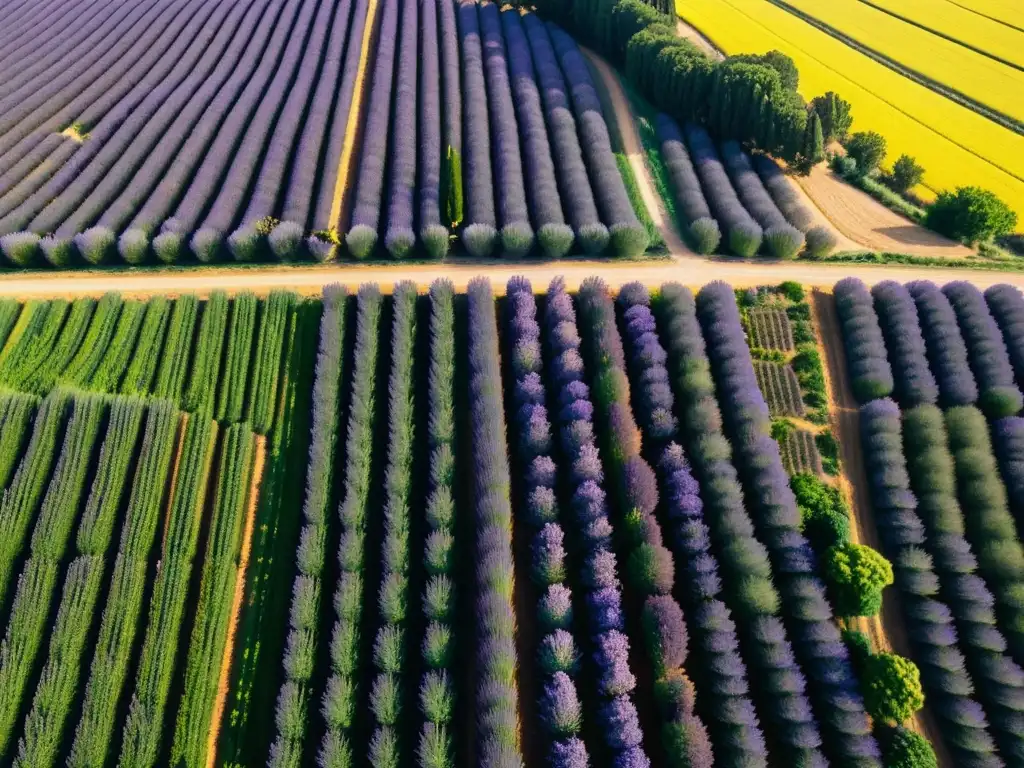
[{"x": 944, "y": 673}]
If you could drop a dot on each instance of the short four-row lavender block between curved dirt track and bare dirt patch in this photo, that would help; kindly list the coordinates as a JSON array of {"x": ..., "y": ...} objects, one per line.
[{"x": 729, "y": 195}]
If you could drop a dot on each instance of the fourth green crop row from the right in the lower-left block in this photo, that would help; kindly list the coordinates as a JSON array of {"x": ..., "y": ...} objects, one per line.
[{"x": 56, "y": 693}]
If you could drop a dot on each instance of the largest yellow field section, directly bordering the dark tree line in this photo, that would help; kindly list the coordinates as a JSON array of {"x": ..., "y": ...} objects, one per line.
[{"x": 956, "y": 146}]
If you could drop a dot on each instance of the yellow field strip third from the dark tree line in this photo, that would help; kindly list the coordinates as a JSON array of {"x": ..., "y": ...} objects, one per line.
[{"x": 960, "y": 24}]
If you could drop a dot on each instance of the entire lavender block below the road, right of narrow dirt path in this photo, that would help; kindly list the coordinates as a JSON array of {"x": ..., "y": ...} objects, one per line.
[{"x": 938, "y": 372}]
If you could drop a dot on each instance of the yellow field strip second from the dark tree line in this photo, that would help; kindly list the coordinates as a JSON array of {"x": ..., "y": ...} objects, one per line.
[{"x": 978, "y": 77}]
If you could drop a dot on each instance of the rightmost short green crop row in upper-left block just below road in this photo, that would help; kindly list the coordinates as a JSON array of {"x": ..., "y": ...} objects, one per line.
[{"x": 275, "y": 322}]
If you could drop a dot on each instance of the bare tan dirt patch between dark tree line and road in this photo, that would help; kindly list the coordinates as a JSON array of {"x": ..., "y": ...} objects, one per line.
[{"x": 865, "y": 221}]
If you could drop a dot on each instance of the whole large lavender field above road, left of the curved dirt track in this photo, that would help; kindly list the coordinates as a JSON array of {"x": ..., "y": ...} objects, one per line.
[{"x": 304, "y": 129}]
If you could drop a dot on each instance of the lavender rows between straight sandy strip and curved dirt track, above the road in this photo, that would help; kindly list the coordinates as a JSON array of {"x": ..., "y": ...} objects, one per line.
[{"x": 539, "y": 167}]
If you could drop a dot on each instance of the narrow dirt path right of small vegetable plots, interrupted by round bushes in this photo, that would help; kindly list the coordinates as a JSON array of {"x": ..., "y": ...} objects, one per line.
[{"x": 887, "y": 631}]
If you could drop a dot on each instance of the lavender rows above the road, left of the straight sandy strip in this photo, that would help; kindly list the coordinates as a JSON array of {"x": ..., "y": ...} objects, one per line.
[{"x": 248, "y": 102}]
